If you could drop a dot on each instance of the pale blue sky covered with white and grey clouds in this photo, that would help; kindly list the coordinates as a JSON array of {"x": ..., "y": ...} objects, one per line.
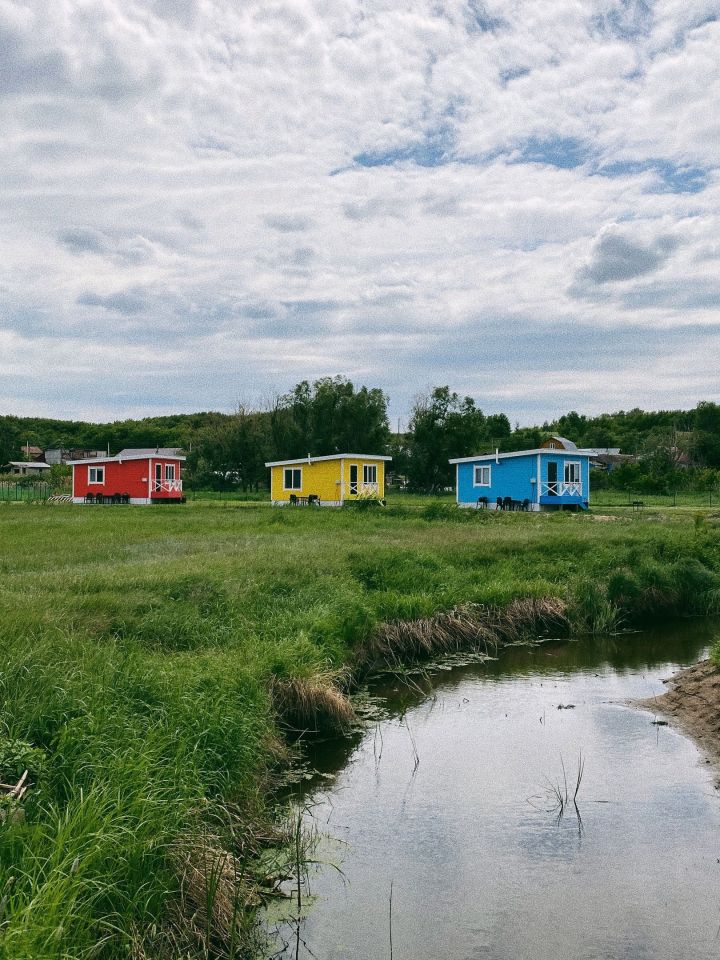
[{"x": 203, "y": 202}]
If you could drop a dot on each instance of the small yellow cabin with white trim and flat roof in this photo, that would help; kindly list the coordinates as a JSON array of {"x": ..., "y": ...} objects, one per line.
[{"x": 328, "y": 481}]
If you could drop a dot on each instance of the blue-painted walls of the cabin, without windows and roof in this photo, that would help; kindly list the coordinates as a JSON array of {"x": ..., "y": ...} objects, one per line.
[{"x": 512, "y": 476}]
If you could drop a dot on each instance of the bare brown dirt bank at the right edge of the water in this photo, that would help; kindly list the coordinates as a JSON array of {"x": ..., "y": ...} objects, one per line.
[{"x": 692, "y": 703}]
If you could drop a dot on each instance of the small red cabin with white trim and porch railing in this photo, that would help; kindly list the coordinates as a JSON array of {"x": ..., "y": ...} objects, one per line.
[{"x": 133, "y": 476}]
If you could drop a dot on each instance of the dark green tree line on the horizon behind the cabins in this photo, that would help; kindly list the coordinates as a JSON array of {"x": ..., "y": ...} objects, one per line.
[{"x": 675, "y": 448}]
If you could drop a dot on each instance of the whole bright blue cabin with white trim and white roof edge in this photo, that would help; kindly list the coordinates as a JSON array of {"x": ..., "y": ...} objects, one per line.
[{"x": 541, "y": 479}]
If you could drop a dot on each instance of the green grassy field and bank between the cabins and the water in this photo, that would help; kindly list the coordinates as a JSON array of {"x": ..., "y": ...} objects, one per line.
[{"x": 145, "y": 655}]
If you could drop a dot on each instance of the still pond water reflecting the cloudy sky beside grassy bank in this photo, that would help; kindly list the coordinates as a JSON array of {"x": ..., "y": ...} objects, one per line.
[{"x": 452, "y": 803}]
